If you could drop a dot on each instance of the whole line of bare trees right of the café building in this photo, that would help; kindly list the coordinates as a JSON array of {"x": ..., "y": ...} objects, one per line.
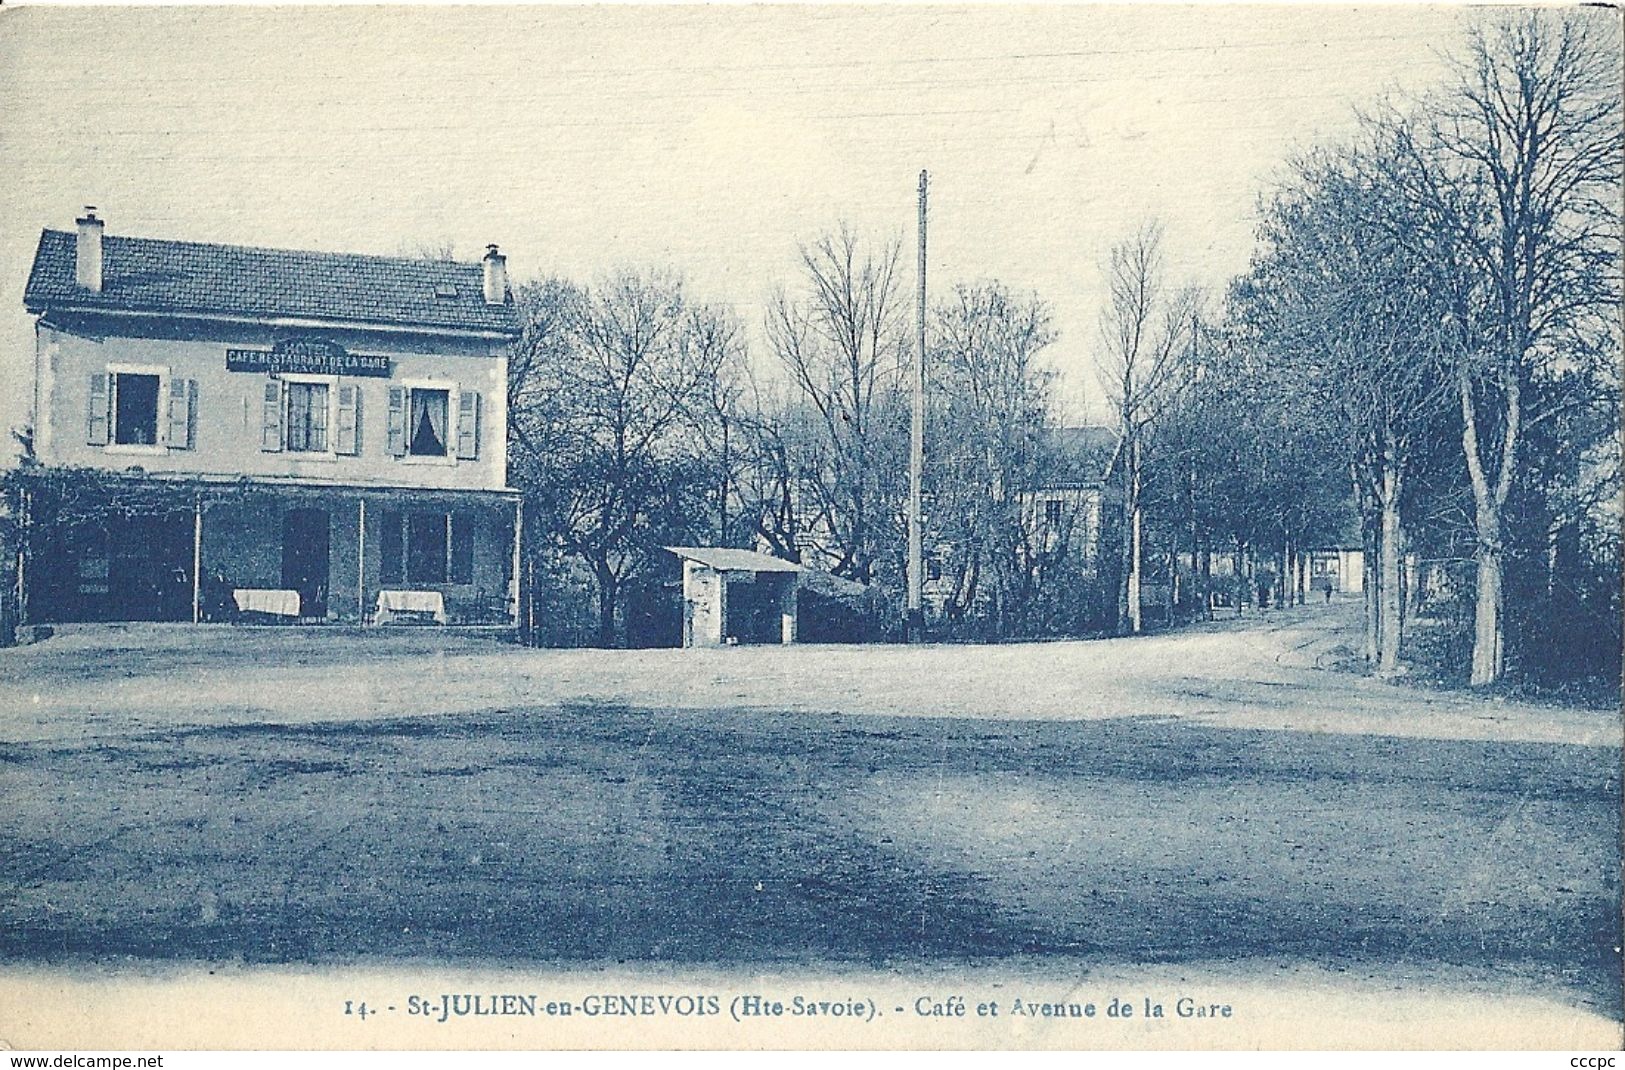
[{"x": 1423, "y": 352}]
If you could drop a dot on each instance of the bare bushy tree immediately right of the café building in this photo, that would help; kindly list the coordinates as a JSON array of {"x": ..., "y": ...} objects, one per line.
[{"x": 612, "y": 417}]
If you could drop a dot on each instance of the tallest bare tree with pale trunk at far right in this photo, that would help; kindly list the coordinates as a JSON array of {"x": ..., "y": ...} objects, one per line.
[{"x": 1519, "y": 165}]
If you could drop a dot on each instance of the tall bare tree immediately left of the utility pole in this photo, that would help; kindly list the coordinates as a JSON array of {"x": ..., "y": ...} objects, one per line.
[{"x": 843, "y": 344}]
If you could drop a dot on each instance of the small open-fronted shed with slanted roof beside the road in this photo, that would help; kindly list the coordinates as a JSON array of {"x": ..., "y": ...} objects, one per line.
[{"x": 737, "y": 596}]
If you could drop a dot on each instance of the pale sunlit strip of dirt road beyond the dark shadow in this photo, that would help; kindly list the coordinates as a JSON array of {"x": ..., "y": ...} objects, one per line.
[{"x": 1262, "y": 672}]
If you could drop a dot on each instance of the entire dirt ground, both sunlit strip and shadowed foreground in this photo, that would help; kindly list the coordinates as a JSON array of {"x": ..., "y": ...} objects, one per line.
[{"x": 1210, "y": 798}]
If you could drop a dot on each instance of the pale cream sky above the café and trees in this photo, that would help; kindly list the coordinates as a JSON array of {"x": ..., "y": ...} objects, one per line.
[{"x": 709, "y": 141}]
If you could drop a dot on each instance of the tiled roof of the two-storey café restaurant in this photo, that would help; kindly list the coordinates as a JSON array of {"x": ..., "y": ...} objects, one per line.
[{"x": 155, "y": 276}]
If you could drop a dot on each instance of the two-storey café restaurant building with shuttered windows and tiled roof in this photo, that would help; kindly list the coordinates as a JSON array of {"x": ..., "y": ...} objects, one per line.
[{"x": 238, "y": 433}]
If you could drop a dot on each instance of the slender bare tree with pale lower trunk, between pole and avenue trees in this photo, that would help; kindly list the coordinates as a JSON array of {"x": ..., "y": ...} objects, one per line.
[{"x": 1146, "y": 333}]
